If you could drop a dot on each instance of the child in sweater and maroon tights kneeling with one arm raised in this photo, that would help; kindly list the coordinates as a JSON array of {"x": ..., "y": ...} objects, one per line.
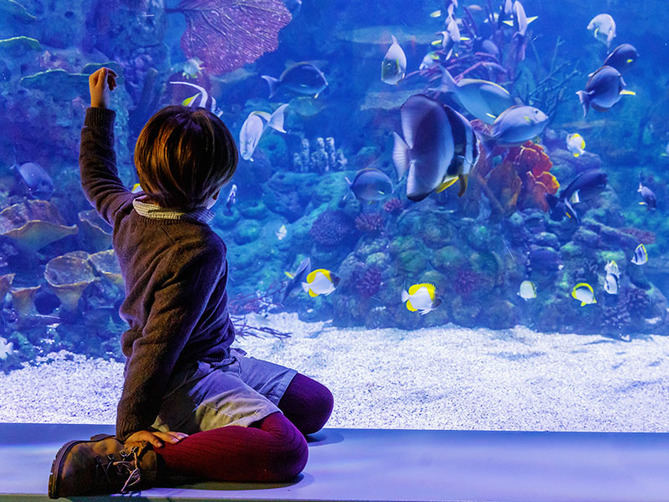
[{"x": 191, "y": 406}]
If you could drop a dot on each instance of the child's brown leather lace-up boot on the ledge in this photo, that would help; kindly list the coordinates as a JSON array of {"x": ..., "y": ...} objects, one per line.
[{"x": 102, "y": 466}]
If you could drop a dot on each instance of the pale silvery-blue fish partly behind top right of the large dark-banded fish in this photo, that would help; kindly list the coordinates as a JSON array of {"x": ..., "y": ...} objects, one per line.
[{"x": 483, "y": 99}]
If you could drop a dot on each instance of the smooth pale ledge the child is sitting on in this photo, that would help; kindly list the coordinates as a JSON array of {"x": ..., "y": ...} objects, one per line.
[{"x": 394, "y": 465}]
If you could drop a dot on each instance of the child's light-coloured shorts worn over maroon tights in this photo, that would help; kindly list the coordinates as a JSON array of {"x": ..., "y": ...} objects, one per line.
[{"x": 236, "y": 391}]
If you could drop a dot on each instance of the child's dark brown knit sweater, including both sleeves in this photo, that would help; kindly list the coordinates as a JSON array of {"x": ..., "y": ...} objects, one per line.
[{"x": 175, "y": 273}]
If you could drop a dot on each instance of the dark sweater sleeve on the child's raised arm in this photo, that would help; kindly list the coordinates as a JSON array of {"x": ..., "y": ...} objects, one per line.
[{"x": 97, "y": 164}]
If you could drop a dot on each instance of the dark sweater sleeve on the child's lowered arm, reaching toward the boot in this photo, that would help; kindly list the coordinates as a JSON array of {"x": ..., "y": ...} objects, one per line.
[{"x": 176, "y": 309}]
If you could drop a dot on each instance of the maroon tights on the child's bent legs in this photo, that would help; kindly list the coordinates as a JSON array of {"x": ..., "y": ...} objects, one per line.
[{"x": 272, "y": 449}]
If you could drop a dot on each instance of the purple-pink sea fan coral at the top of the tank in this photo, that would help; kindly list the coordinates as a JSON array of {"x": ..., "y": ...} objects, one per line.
[{"x": 227, "y": 34}]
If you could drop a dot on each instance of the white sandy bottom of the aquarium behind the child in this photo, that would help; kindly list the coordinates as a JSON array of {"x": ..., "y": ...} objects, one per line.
[{"x": 437, "y": 378}]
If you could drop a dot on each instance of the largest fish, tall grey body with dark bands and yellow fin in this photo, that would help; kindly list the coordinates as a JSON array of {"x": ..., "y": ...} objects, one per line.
[{"x": 438, "y": 147}]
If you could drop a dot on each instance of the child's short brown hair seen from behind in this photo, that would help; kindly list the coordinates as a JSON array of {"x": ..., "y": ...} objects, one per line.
[{"x": 184, "y": 156}]
